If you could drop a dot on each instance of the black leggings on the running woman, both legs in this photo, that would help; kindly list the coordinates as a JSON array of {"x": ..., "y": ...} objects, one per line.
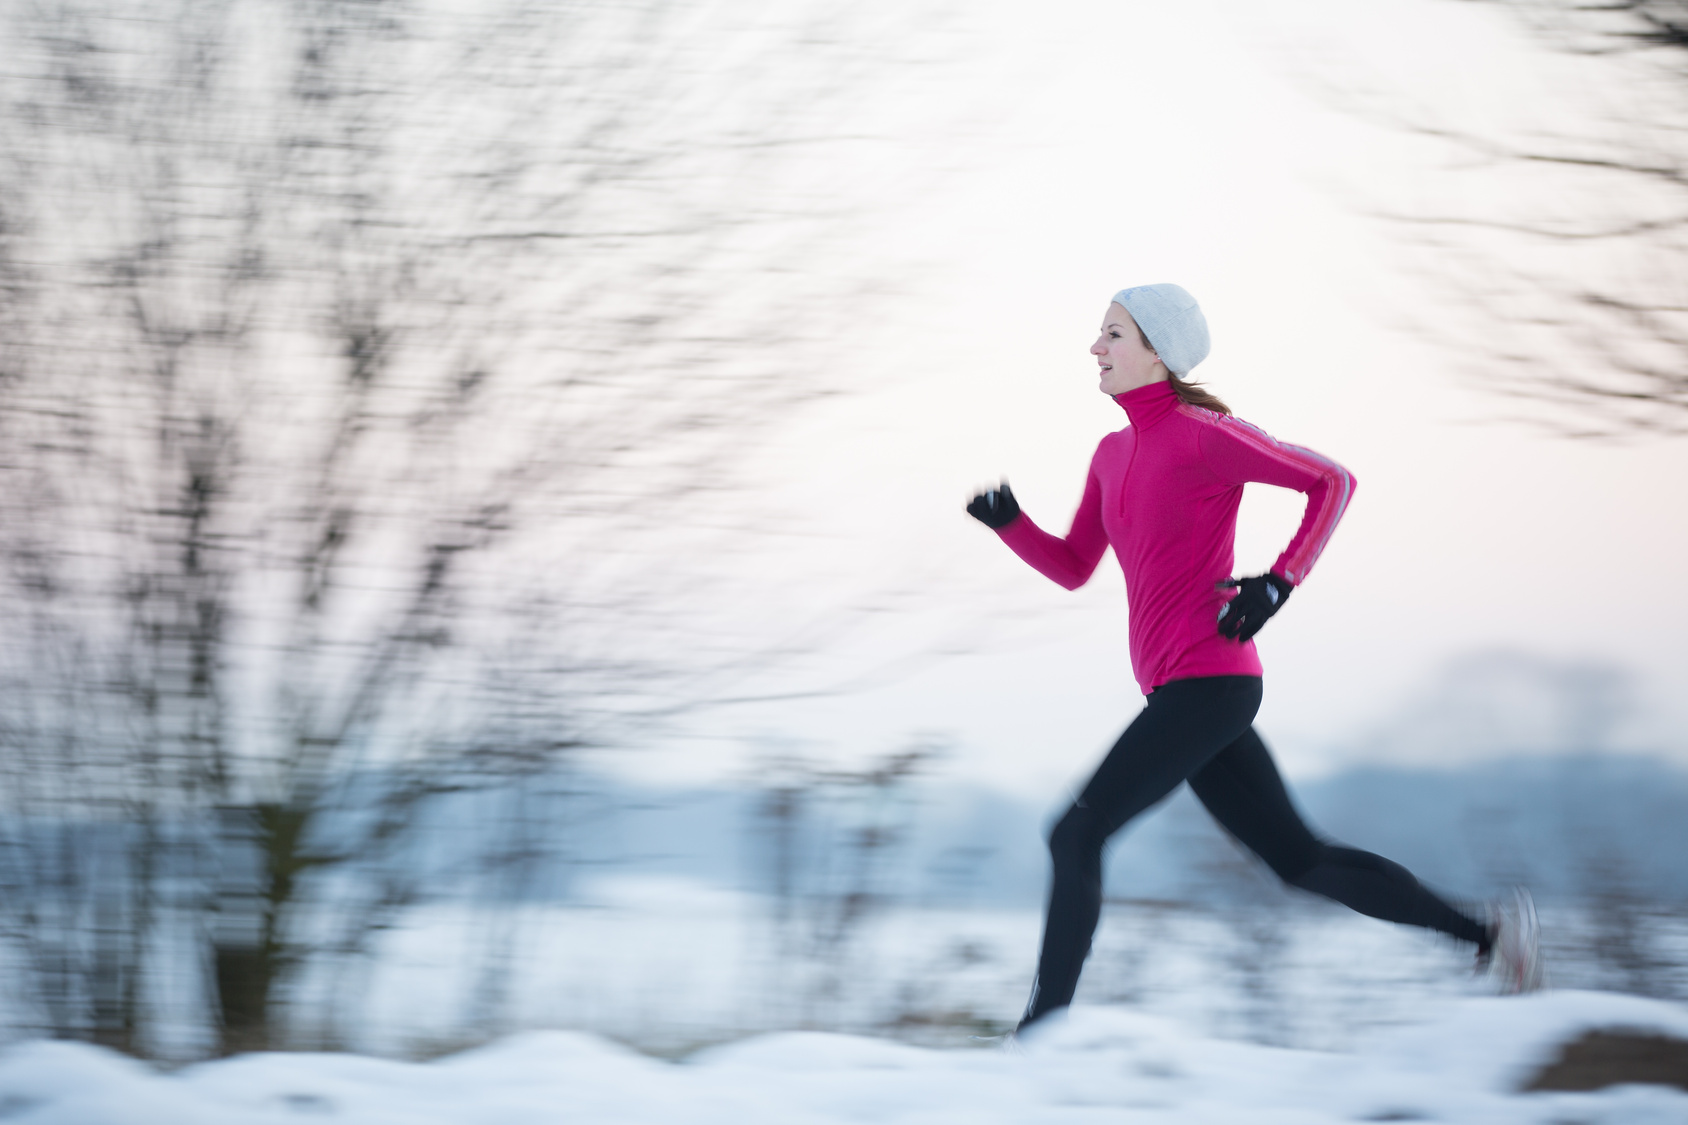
[{"x": 1199, "y": 731}]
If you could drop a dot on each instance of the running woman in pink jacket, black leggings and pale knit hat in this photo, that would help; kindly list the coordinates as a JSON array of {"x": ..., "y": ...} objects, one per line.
[{"x": 1164, "y": 494}]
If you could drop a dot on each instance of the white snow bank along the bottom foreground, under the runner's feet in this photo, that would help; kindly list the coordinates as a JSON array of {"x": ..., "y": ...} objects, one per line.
[{"x": 1100, "y": 1065}]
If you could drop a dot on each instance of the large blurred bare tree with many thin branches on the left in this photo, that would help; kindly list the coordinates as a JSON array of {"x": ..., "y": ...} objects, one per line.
[{"x": 357, "y": 361}]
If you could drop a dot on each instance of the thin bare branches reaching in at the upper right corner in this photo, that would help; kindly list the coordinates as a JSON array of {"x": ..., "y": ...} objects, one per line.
[{"x": 1567, "y": 278}]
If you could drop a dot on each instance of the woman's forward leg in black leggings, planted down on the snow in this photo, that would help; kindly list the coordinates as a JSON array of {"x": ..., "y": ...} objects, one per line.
[{"x": 1184, "y": 726}]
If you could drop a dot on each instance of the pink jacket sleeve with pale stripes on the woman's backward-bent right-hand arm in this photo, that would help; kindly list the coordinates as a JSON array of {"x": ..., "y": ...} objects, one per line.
[{"x": 1242, "y": 454}]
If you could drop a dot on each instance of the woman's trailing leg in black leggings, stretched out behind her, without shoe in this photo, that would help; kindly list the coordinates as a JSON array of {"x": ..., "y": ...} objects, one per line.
[{"x": 1243, "y": 790}]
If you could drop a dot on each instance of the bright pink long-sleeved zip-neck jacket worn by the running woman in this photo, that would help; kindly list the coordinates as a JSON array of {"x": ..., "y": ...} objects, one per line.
[{"x": 1164, "y": 492}]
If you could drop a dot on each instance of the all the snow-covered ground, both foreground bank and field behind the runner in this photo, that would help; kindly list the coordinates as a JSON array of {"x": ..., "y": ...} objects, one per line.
[{"x": 1263, "y": 1013}]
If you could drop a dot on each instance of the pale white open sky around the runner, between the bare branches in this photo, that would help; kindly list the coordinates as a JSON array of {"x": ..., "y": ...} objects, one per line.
[{"x": 1132, "y": 143}]
